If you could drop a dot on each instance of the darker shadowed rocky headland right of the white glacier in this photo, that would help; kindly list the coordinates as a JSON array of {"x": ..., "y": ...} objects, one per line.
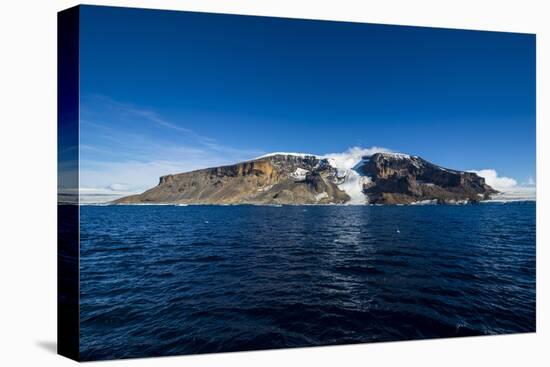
[{"x": 405, "y": 179}]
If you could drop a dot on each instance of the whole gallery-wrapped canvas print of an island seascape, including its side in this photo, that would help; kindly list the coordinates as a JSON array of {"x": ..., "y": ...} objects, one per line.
[{"x": 236, "y": 183}]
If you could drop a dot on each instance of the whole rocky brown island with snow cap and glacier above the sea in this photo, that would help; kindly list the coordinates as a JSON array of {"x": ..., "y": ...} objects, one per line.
[{"x": 293, "y": 178}]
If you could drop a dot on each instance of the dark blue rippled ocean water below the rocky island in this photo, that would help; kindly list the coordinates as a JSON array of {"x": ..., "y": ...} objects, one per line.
[{"x": 167, "y": 280}]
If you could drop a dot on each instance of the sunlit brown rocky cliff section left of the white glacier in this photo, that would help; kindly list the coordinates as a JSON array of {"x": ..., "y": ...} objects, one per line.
[{"x": 272, "y": 179}]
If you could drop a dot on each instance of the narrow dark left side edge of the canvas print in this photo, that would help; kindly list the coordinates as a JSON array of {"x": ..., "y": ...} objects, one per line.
[{"x": 67, "y": 173}]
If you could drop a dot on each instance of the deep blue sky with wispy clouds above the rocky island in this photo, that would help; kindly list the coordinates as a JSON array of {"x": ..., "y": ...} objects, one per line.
[{"x": 165, "y": 92}]
